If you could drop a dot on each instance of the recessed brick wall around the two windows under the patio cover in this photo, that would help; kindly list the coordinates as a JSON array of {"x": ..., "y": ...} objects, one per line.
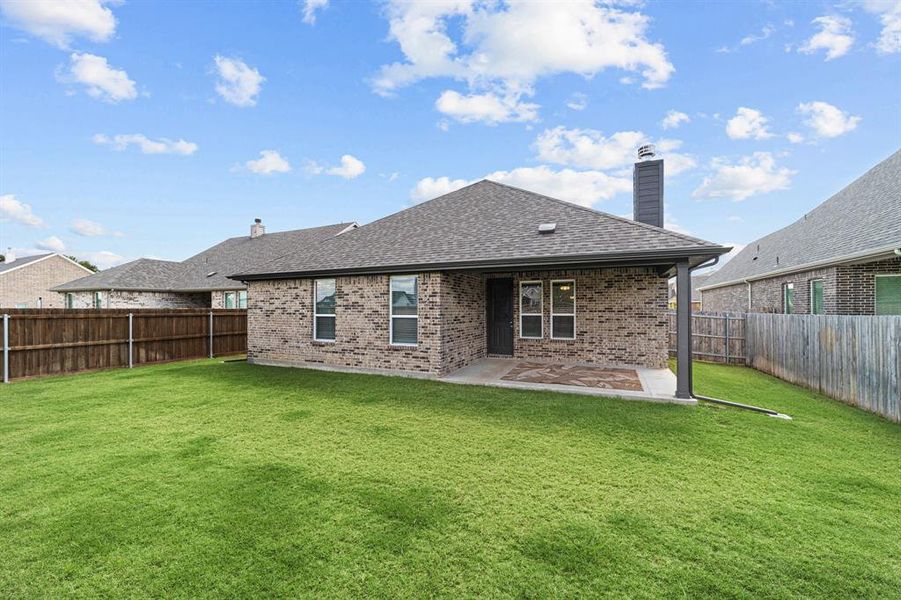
[{"x": 620, "y": 318}]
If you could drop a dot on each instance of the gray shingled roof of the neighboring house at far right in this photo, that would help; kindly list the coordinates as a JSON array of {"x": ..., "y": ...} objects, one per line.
[{"x": 865, "y": 216}]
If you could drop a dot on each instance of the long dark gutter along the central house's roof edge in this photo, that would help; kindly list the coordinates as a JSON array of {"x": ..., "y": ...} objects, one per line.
[{"x": 643, "y": 258}]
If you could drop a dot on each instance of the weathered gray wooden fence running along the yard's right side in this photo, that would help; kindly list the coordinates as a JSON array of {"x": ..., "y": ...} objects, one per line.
[{"x": 855, "y": 359}]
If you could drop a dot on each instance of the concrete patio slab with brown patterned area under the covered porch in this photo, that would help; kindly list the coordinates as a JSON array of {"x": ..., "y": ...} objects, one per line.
[{"x": 630, "y": 383}]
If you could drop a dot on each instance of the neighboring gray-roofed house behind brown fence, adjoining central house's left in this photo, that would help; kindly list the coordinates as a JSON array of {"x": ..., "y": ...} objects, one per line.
[{"x": 198, "y": 282}]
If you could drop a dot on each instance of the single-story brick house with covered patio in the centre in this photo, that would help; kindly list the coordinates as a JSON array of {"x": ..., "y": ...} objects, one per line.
[{"x": 487, "y": 270}]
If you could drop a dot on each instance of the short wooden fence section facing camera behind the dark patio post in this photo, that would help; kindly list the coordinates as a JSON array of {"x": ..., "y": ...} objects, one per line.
[{"x": 716, "y": 337}]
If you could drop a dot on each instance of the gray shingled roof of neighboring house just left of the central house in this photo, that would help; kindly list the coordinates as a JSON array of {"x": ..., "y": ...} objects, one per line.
[{"x": 193, "y": 274}]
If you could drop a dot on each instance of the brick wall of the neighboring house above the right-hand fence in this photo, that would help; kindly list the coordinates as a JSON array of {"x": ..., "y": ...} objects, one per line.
[{"x": 847, "y": 290}]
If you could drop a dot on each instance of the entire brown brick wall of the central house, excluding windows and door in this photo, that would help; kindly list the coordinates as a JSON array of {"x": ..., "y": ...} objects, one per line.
[{"x": 620, "y": 319}]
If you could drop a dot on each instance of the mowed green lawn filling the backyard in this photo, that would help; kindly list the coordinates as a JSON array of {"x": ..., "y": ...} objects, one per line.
[{"x": 219, "y": 479}]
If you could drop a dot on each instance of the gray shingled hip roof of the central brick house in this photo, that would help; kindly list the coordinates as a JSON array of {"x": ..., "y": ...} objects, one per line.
[{"x": 483, "y": 223}]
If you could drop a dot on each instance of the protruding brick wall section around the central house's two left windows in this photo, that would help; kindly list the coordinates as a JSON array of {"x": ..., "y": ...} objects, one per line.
[{"x": 280, "y": 325}]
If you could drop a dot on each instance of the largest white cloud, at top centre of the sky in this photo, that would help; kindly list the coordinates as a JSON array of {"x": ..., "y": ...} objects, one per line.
[{"x": 504, "y": 48}]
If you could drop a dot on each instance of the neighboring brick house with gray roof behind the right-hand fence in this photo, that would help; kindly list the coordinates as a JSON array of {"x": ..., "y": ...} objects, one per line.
[{"x": 843, "y": 257}]
